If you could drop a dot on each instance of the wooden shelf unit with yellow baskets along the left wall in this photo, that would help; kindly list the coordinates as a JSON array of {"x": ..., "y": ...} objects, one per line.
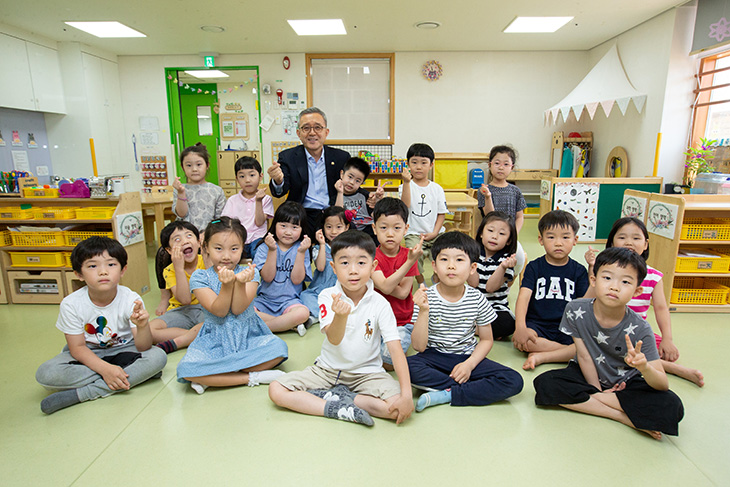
[{"x": 136, "y": 277}]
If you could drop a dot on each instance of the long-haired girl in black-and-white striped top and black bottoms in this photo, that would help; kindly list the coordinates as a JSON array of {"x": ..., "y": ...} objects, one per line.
[{"x": 497, "y": 239}]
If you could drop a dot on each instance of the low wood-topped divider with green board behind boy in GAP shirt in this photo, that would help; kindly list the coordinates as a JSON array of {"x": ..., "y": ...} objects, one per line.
[{"x": 610, "y": 198}]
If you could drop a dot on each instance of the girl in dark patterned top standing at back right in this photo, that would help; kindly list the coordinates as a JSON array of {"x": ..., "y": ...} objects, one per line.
[{"x": 499, "y": 195}]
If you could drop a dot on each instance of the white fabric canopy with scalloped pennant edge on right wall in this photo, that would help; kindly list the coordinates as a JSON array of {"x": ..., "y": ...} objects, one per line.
[{"x": 605, "y": 85}]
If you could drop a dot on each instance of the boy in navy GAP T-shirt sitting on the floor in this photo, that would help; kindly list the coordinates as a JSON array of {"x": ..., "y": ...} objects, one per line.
[{"x": 549, "y": 283}]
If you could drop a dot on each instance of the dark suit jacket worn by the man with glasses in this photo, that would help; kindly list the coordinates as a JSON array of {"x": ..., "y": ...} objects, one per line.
[{"x": 296, "y": 173}]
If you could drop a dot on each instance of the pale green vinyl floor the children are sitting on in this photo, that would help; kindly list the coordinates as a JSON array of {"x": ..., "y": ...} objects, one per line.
[{"x": 162, "y": 433}]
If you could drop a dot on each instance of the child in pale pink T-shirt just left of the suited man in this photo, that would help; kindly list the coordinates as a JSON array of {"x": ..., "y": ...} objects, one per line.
[{"x": 252, "y": 206}]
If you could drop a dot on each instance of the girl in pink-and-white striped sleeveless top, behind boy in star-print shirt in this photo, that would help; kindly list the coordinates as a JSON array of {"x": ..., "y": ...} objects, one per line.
[{"x": 631, "y": 233}]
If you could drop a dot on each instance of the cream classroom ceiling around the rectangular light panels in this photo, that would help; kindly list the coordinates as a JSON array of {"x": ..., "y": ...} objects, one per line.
[{"x": 173, "y": 26}]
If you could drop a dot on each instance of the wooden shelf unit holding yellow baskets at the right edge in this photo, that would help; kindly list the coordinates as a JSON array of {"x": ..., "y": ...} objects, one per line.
[{"x": 663, "y": 251}]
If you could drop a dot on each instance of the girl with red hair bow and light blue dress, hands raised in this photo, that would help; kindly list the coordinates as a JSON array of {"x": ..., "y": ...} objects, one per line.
[{"x": 335, "y": 222}]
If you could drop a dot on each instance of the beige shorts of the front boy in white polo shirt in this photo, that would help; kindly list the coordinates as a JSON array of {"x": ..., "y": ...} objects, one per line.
[{"x": 376, "y": 384}]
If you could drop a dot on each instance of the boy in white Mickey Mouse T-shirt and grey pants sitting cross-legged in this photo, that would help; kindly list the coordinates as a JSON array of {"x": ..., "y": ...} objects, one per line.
[{"x": 109, "y": 343}]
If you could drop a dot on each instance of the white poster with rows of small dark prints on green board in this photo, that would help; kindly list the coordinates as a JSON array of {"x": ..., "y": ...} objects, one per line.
[{"x": 580, "y": 200}]
